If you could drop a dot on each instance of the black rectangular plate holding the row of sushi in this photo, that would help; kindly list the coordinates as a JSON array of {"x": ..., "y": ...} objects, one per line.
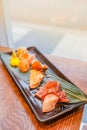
[{"x": 35, "y": 103}]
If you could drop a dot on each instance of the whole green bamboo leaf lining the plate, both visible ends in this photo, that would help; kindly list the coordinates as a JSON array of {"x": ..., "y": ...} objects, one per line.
[{"x": 74, "y": 94}]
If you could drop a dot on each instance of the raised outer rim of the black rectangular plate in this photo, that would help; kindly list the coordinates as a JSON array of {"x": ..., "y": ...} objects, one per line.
[{"x": 25, "y": 96}]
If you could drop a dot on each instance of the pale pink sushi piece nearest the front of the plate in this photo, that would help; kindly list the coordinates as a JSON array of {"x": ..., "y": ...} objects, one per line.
[{"x": 49, "y": 102}]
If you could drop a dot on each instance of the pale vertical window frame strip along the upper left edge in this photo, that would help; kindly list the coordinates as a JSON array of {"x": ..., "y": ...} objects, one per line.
[{"x": 5, "y": 26}]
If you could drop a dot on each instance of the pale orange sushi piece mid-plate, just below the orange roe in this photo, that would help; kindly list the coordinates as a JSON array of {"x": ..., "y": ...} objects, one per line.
[{"x": 36, "y": 78}]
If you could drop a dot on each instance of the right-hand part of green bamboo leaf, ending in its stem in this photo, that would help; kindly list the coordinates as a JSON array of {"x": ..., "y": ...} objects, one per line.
[{"x": 74, "y": 94}]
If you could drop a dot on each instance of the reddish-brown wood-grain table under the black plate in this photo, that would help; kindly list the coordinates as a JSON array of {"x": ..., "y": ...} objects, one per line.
[{"x": 15, "y": 113}]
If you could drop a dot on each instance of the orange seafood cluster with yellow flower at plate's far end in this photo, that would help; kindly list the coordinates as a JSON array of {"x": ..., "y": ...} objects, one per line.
[{"x": 21, "y": 59}]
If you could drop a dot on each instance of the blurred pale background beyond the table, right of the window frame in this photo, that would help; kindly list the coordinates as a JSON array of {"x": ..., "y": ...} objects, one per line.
[{"x": 56, "y": 27}]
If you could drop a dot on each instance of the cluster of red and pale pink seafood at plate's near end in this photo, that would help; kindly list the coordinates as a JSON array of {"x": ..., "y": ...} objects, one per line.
[{"x": 50, "y": 94}]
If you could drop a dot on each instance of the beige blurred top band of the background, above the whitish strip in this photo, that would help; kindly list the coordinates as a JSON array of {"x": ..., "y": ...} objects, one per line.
[{"x": 68, "y": 13}]
